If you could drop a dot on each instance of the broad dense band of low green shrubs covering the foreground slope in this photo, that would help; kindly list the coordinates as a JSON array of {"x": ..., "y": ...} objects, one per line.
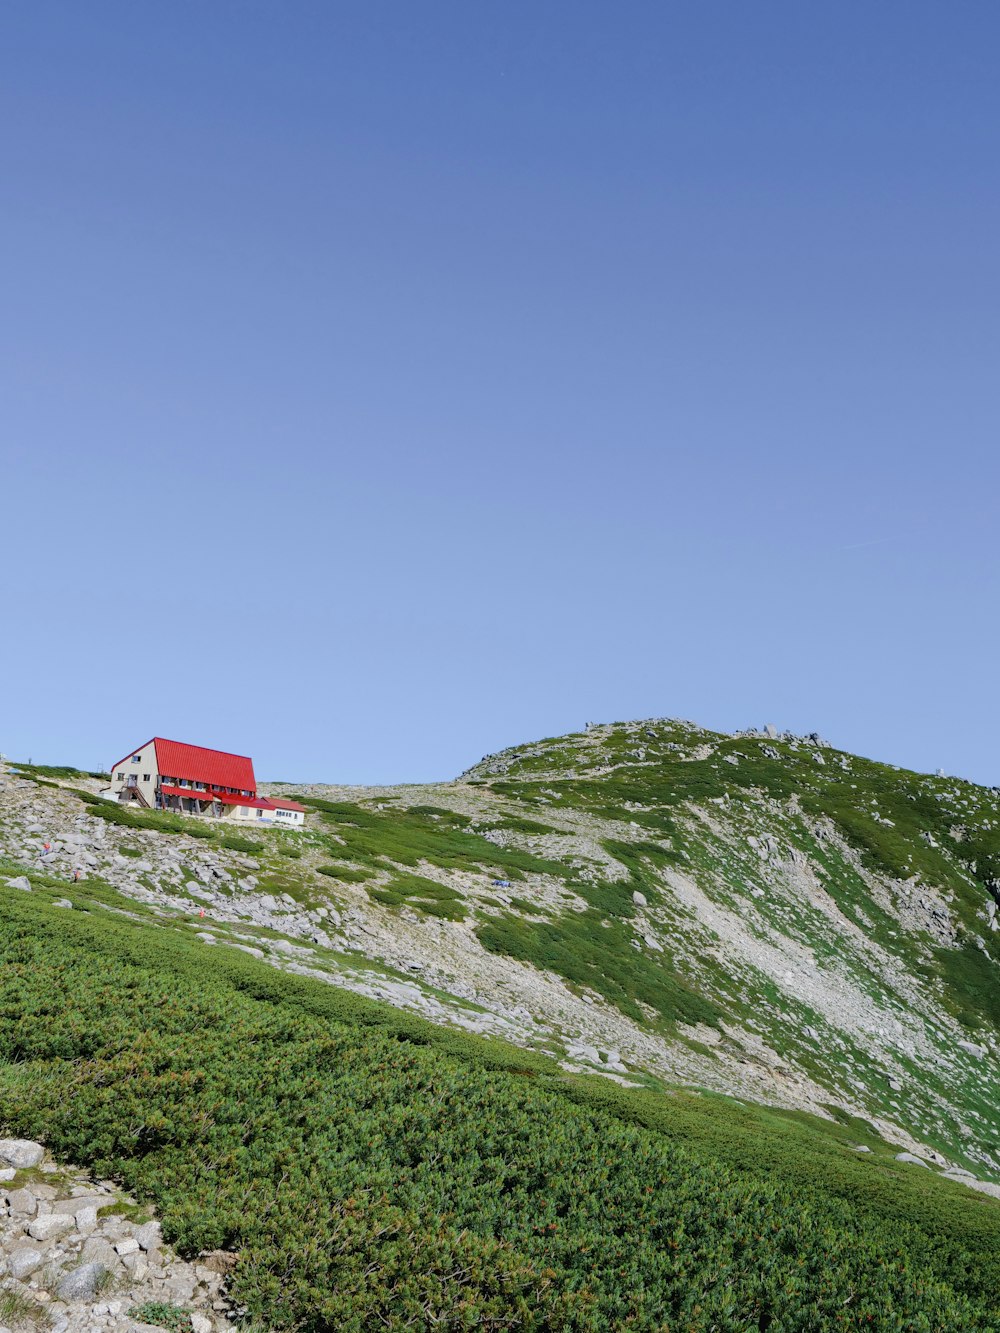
[{"x": 374, "y": 1172}]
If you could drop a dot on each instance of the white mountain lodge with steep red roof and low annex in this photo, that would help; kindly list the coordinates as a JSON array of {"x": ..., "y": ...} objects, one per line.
[{"x": 173, "y": 776}]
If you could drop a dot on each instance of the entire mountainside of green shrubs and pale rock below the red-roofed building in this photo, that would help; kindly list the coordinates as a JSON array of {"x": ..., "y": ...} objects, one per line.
[{"x": 742, "y": 974}]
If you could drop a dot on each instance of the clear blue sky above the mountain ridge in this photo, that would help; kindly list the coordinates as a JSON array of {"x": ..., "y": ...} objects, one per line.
[{"x": 383, "y": 385}]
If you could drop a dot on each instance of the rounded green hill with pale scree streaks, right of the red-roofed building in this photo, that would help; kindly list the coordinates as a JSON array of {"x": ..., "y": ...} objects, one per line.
[{"x": 858, "y": 900}]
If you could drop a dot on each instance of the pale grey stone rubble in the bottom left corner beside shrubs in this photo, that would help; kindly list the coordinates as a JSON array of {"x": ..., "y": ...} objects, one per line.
[{"x": 77, "y": 1256}]
